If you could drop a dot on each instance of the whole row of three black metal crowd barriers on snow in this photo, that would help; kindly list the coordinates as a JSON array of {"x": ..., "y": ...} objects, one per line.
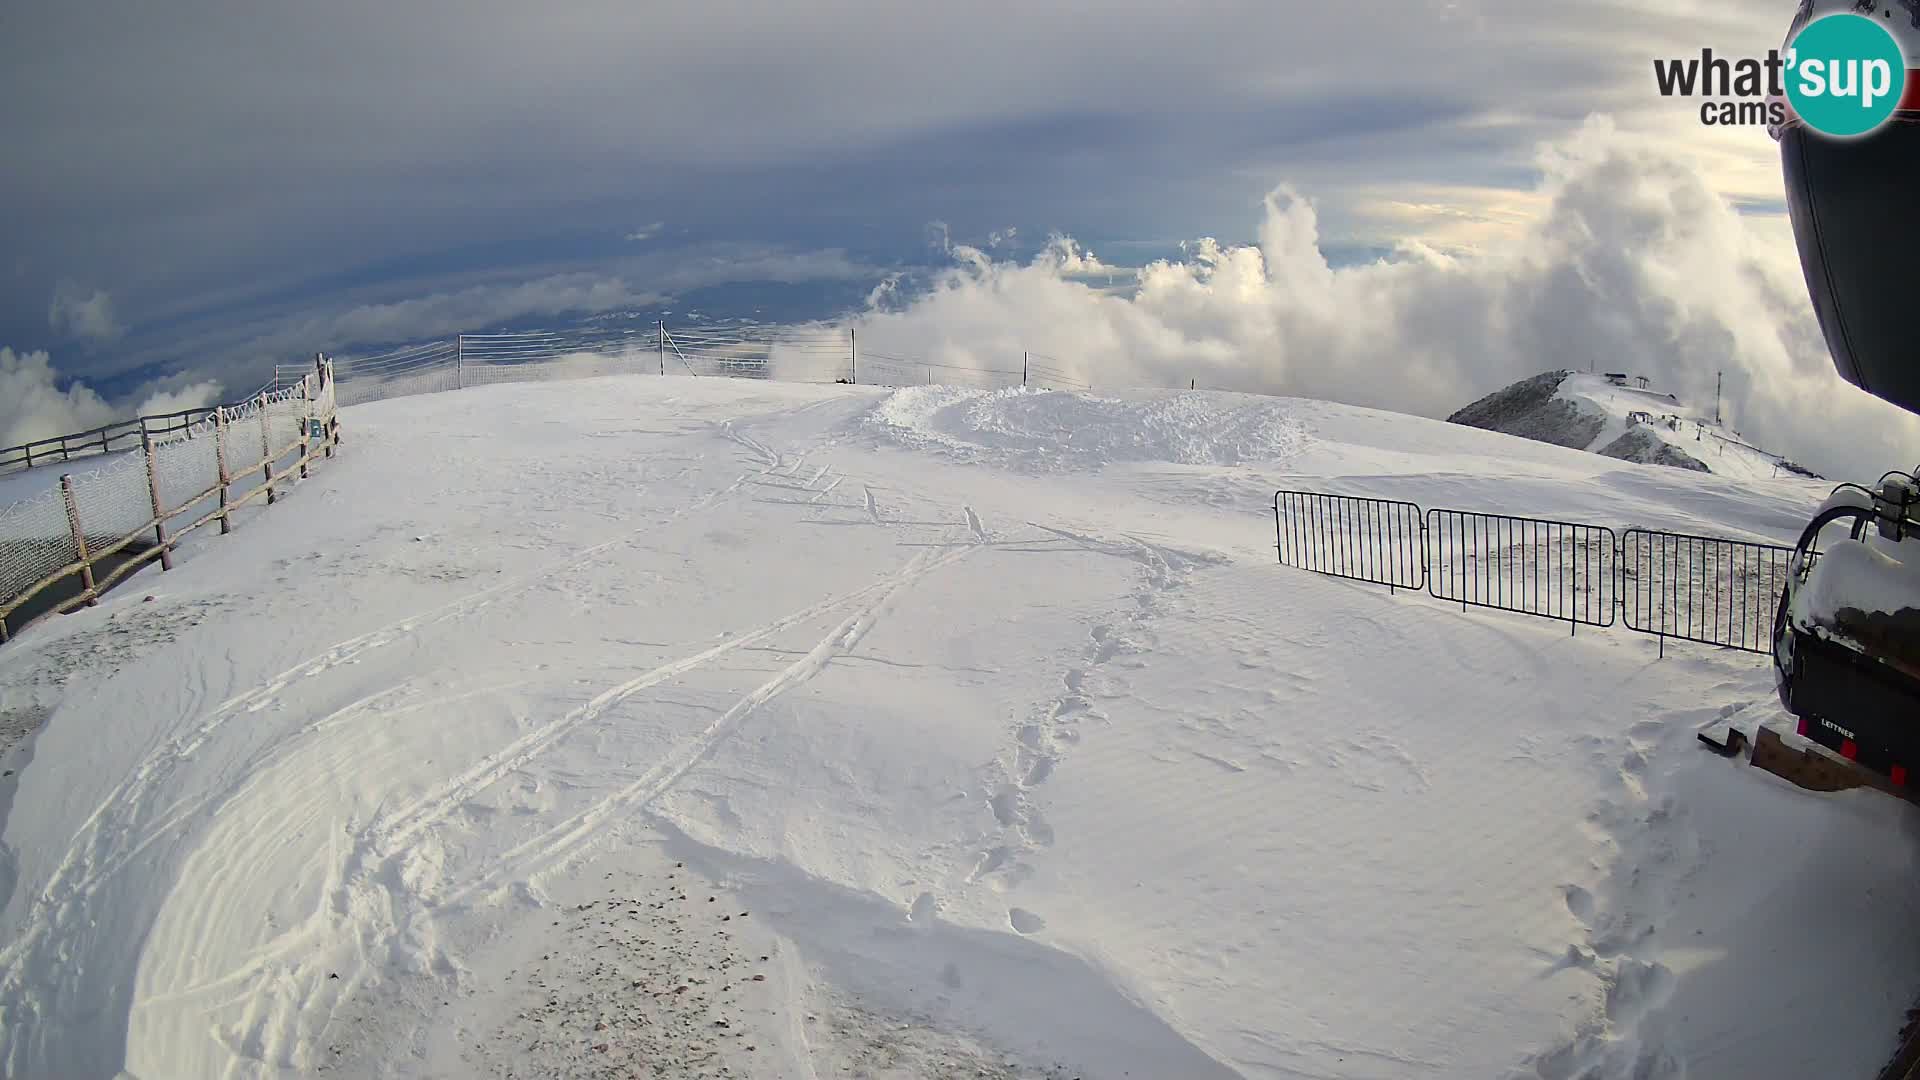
[{"x": 1671, "y": 585}]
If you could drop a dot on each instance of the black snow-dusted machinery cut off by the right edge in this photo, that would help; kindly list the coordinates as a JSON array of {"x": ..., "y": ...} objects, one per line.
[{"x": 1848, "y": 629}]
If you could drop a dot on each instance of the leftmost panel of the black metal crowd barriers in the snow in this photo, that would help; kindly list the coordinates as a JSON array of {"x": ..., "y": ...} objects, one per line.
[{"x": 1376, "y": 541}]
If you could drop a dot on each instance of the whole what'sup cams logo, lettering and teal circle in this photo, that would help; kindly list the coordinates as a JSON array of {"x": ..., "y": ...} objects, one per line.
[{"x": 1842, "y": 74}]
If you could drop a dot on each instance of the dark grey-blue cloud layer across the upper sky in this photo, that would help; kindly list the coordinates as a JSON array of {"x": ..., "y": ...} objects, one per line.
[{"x": 327, "y": 162}]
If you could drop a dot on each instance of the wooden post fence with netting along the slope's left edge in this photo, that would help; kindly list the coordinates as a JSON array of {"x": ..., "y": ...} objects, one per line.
[{"x": 243, "y": 443}]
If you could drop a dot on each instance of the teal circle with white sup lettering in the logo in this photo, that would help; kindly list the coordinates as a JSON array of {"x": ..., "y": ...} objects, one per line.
[{"x": 1846, "y": 76}]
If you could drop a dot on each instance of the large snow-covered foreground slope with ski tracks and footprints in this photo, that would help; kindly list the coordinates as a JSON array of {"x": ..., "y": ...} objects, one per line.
[{"x": 684, "y": 727}]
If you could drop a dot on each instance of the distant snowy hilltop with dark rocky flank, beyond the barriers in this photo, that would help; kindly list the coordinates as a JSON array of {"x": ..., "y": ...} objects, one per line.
[{"x": 1589, "y": 412}]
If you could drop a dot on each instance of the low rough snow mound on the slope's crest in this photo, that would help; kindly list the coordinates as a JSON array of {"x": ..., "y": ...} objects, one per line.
[{"x": 1067, "y": 430}]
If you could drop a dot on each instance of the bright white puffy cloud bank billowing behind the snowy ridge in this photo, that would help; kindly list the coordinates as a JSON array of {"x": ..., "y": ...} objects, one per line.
[{"x": 1633, "y": 264}]
